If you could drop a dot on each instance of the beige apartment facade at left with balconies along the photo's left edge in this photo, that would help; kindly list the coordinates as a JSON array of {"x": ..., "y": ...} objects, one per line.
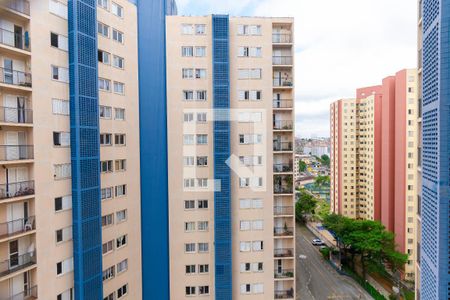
[{"x": 69, "y": 207}]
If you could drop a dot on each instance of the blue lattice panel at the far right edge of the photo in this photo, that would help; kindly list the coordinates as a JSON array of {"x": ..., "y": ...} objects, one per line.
[{"x": 435, "y": 244}]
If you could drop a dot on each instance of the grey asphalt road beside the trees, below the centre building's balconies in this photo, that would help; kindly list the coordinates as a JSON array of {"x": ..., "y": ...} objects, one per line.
[{"x": 316, "y": 279}]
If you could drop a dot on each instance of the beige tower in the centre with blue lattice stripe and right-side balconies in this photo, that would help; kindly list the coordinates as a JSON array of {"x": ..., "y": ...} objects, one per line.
[{"x": 230, "y": 90}]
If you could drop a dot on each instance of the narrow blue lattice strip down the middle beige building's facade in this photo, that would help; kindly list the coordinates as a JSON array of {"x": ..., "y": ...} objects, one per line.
[{"x": 221, "y": 130}]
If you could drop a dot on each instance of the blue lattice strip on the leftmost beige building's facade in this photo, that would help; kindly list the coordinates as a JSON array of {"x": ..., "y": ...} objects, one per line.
[{"x": 85, "y": 152}]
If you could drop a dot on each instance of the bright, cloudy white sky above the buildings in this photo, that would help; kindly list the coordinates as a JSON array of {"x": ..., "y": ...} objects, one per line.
[{"x": 339, "y": 46}]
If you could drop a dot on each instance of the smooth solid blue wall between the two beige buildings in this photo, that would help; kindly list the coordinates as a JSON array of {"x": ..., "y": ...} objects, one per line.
[{"x": 153, "y": 146}]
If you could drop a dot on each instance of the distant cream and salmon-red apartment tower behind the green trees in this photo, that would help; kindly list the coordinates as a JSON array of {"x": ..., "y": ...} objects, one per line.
[{"x": 374, "y": 141}]
